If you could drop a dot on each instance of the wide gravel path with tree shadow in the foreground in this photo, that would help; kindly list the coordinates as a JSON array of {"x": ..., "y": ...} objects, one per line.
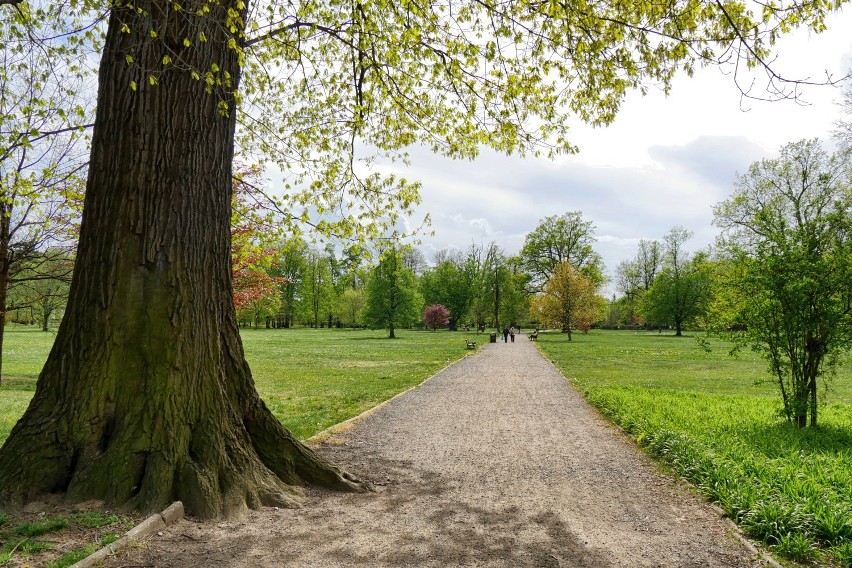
[{"x": 495, "y": 461}]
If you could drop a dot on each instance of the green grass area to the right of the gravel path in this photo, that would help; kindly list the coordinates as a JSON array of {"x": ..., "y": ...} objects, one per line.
[{"x": 715, "y": 421}]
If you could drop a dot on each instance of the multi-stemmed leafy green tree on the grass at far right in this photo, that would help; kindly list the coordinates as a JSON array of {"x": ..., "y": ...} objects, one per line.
[{"x": 788, "y": 237}]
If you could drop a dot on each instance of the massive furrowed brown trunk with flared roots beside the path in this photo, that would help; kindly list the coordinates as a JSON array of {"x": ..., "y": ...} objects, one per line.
[{"x": 146, "y": 396}]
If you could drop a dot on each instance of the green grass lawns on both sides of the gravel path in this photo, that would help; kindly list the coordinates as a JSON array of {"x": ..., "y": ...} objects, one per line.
[{"x": 712, "y": 418}]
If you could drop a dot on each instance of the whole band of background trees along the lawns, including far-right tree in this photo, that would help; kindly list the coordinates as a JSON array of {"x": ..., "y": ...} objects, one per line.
[{"x": 777, "y": 281}]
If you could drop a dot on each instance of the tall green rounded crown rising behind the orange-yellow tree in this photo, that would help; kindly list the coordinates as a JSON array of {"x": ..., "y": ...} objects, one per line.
[{"x": 557, "y": 239}]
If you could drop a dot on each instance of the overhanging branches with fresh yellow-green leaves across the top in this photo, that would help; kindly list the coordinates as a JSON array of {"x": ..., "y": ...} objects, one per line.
[{"x": 327, "y": 88}]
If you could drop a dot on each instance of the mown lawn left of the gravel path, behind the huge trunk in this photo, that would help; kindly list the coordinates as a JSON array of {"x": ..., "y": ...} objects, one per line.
[{"x": 310, "y": 378}]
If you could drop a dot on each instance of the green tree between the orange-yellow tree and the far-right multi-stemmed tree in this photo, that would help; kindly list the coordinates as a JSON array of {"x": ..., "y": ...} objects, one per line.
[{"x": 682, "y": 290}]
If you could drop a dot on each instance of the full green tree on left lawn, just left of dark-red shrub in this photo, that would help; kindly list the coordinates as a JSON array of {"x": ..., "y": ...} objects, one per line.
[{"x": 392, "y": 296}]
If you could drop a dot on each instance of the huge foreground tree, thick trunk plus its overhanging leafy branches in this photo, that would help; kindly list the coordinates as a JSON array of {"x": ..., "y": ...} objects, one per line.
[{"x": 176, "y": 415}]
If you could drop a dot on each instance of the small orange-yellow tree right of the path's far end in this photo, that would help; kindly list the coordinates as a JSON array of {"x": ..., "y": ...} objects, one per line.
[{"x": 569, "y": 299}]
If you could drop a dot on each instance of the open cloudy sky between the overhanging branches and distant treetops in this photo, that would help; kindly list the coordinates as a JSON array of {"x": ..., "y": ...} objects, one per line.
[{"x": 664, "y": 162}]
